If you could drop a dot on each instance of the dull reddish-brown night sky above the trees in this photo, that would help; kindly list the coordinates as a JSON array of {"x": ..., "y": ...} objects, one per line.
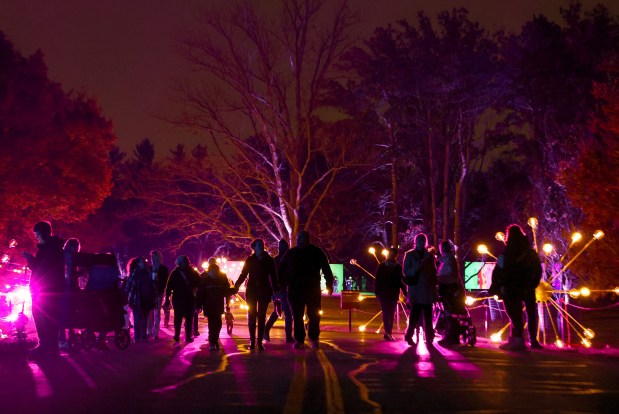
[{"x": 121, "y": 52}]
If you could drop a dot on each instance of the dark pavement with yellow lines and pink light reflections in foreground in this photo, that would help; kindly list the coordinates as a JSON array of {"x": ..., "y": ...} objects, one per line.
[{"x": 350, "y": 373}]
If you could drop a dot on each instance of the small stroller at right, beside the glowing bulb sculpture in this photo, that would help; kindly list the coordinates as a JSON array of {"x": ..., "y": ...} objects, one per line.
[{"x": 459, "y": 316}]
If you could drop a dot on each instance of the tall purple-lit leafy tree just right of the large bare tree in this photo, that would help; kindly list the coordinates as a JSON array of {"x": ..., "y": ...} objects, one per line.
[{"x": 428, "y": 87}]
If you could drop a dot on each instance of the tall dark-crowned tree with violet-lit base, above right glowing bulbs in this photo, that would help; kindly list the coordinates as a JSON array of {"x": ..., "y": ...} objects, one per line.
[{"x": 552, "y": 70}]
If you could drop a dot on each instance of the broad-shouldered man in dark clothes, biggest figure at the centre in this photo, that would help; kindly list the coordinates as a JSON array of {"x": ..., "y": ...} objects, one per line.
[{"x": 300, "y": 272}]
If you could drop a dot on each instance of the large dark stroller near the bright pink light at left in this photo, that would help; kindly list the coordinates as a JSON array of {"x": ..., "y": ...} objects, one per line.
[{"x": 99, "y": 307}]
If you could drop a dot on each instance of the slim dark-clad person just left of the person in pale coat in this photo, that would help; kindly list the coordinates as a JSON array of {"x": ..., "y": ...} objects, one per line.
[{"x": 387, "y": 288}]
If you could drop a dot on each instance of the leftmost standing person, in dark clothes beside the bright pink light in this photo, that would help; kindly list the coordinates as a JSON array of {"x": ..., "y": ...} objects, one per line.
[{"x": 47, "y": 284}]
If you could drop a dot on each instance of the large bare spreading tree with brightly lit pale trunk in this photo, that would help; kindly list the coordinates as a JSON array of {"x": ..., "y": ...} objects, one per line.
[{"x": 256, "y": 98}]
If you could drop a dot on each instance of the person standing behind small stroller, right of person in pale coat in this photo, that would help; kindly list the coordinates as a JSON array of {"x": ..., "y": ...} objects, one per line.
[{"x": 451, "y": 291}]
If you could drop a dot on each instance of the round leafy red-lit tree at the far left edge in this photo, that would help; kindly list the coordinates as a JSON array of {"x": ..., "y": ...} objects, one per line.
[{"x": 54, "y": 148}]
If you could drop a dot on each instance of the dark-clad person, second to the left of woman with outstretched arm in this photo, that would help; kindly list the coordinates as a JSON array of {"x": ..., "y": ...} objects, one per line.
[{"x": 182, "y": 285}]
